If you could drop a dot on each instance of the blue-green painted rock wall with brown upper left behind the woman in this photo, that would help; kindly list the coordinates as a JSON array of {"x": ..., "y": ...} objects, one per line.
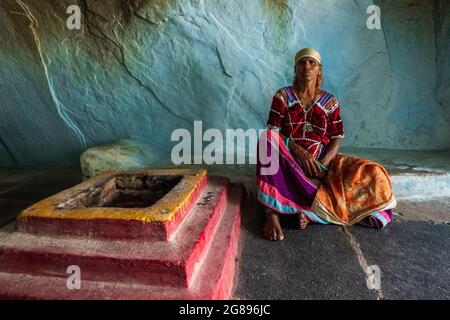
[{"x": 142, "y": 68}]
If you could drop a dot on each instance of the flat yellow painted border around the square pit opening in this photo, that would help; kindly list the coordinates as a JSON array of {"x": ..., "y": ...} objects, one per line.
[{"x": 163, "y": 210}]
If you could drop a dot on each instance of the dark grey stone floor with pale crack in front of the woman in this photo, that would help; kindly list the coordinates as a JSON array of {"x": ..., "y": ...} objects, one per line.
[{"x": 329, "y": 262}]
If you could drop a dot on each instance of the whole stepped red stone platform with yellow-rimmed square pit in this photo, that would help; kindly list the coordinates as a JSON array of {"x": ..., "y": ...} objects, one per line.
[{"x": 179, "y": 245}]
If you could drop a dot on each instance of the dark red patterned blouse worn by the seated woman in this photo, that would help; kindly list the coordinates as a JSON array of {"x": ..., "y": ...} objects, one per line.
[{"x": 312, "y": 129}]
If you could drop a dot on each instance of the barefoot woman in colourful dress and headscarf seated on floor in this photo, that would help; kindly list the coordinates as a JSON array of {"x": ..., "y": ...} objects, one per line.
[{"x": 314, "y": 180}]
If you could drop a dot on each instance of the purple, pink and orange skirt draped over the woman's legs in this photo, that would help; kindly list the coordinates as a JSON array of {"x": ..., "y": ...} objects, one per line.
[{"x": 290, "y": 191}]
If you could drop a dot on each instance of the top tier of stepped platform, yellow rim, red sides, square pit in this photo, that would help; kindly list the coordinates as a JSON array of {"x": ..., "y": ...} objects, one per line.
[{"x": 89, "y": 209}]
